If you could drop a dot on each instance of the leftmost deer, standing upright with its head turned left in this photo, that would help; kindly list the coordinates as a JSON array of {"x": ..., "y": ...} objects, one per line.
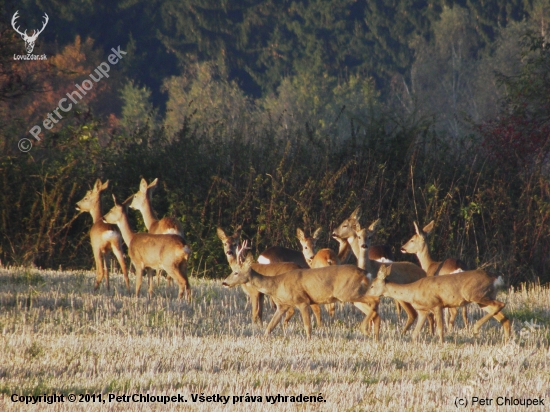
[{"x": 104, "y": 237}]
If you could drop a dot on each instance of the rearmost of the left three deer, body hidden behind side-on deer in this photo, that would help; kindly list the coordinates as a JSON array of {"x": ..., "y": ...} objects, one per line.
[{"x": 142, "y": 201}]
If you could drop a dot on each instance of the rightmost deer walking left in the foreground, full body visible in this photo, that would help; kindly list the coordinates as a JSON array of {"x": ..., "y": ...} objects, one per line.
[{"x": 432, "y": 294}]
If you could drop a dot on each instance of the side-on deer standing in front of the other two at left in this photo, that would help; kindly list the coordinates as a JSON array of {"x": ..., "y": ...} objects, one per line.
[{"x": 152, "y": 252}]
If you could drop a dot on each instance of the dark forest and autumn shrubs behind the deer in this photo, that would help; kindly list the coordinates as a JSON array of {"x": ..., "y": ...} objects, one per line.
[{"x": 284, "y": 114}]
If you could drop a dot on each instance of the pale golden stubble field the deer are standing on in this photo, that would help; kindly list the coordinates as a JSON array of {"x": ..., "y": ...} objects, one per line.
[{"x": 59, "y": 336}]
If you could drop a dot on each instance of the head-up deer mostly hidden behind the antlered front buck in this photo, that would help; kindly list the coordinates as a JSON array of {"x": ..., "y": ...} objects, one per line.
[{"x": 230, "y": 244}]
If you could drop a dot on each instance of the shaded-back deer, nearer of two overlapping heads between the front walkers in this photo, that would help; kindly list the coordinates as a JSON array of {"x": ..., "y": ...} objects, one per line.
[{"x": 401, "y": 272}]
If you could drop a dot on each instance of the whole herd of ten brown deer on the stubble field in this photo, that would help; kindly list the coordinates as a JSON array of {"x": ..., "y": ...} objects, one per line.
[{"x": 304, "y": 279}]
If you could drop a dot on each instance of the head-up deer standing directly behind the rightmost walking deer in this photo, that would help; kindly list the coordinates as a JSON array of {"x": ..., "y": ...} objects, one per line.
[{"x": 418, "y": 245}]
